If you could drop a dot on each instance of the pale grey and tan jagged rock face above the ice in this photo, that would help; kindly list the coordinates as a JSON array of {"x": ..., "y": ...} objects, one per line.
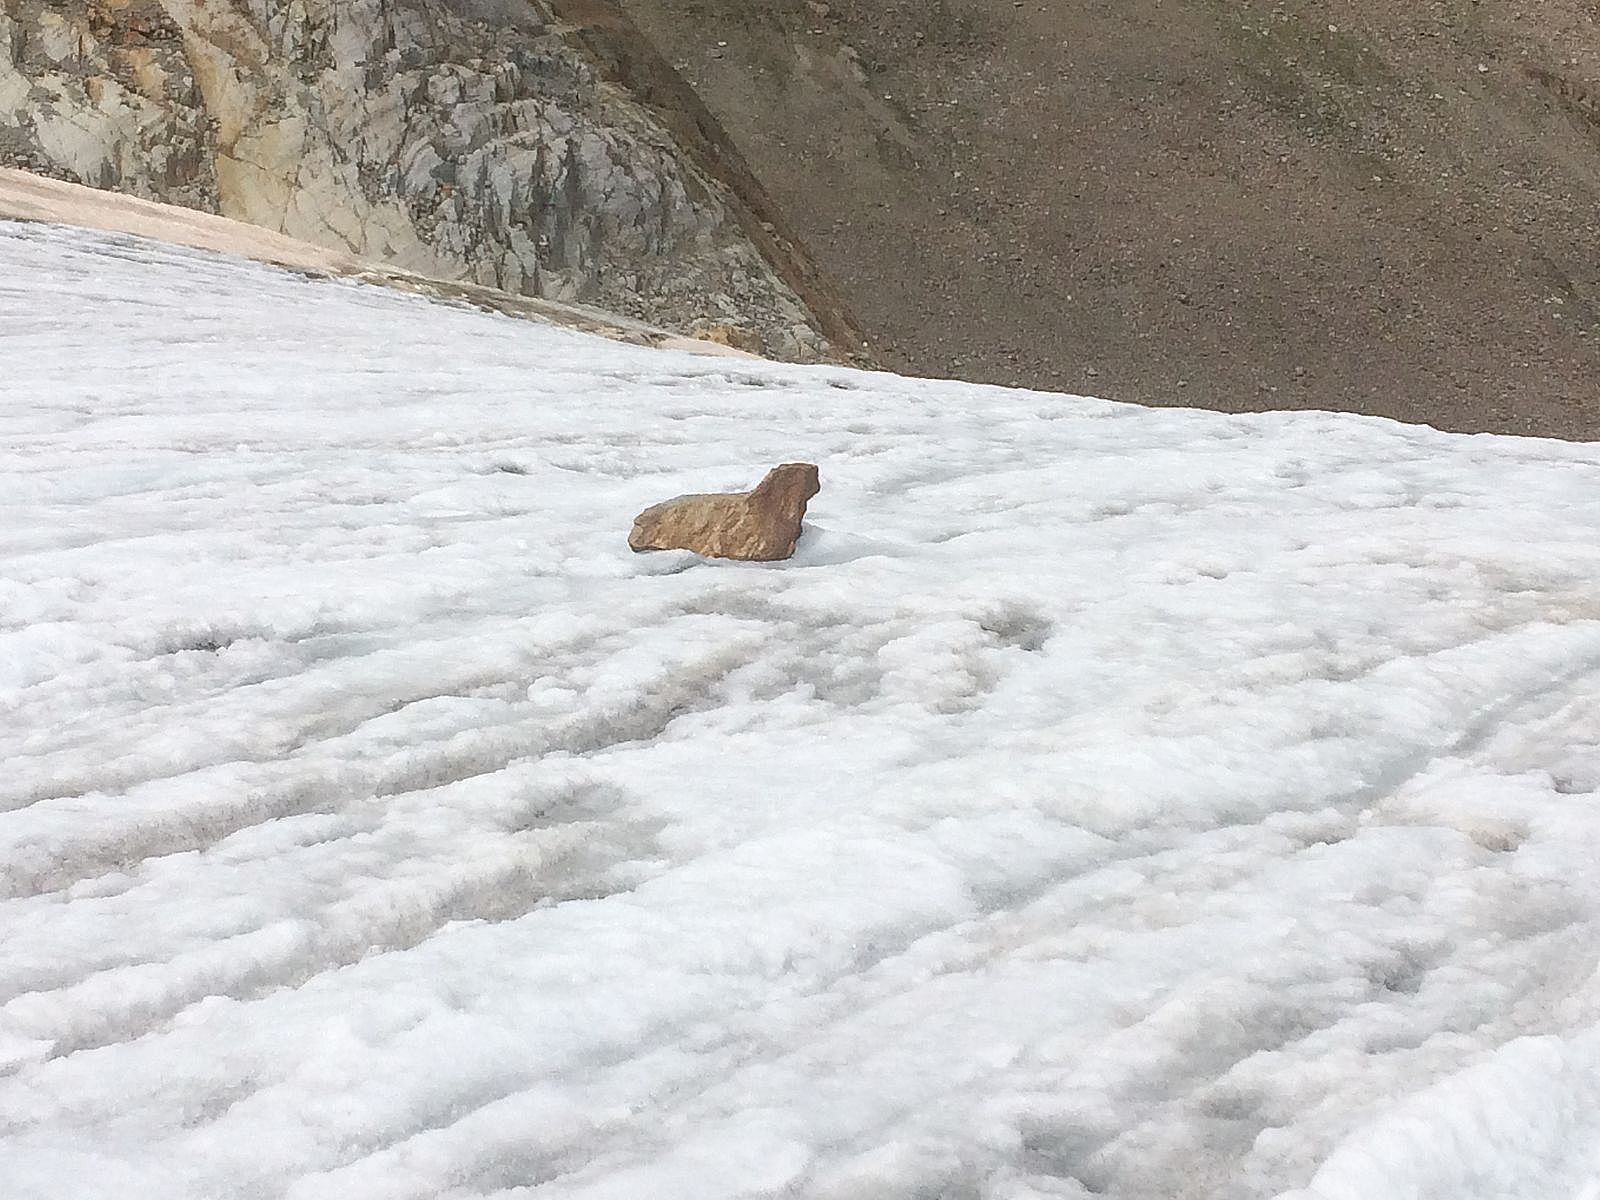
[{"x": 458, "y": 138}]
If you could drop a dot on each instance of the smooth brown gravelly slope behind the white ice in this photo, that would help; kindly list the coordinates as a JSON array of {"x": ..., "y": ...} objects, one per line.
[{"x": 1319, "y": 204}]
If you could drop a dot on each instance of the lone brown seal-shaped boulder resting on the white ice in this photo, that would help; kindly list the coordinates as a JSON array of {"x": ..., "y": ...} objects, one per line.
[{"x": 759, "y": 526}]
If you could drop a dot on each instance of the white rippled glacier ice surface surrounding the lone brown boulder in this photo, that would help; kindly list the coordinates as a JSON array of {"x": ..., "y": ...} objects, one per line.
[{"x": 1103, "y": 802}]
